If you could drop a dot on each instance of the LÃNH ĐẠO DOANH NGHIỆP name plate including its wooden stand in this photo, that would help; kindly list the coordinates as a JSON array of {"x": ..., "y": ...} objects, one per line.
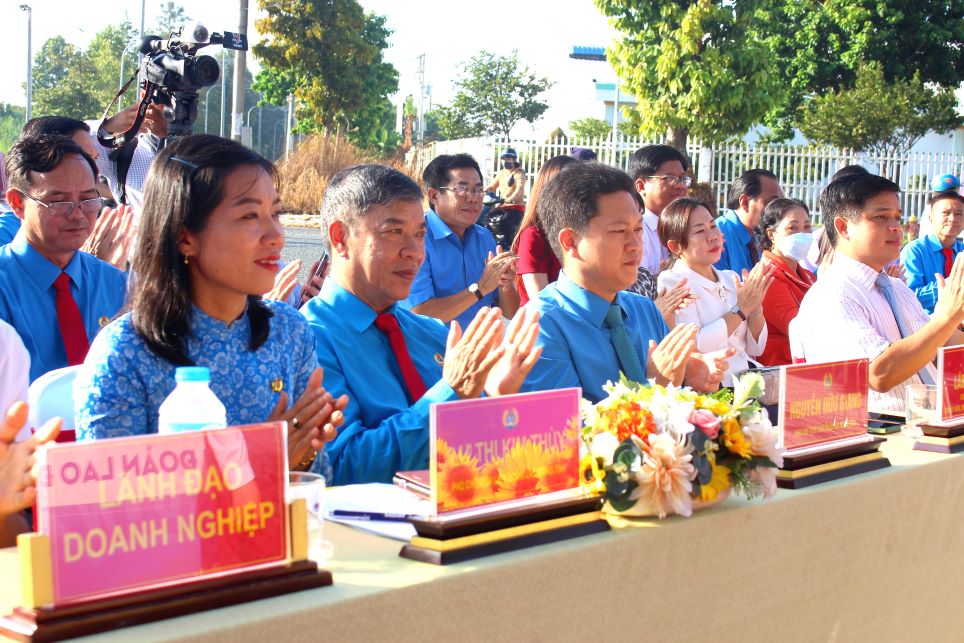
[{"x": 138, "y": 529}]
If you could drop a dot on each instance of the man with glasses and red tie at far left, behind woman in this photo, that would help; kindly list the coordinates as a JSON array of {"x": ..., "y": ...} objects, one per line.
[{"x": 54, "y": 296}]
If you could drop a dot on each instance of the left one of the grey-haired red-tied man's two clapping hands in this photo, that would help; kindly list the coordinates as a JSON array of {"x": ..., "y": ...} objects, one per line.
[{"x": 469, "y": 357}]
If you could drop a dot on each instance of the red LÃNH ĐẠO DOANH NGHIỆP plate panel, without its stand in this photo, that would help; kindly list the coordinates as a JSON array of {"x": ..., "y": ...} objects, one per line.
[{"x": 134, "y": 513}]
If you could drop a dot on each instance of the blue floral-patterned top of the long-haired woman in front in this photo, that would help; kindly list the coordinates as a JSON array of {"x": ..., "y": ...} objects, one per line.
[{"x": 120, "y": 388}]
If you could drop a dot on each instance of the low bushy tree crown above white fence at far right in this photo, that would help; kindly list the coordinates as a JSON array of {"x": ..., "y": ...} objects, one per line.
[{"x": 879, "y": 117}]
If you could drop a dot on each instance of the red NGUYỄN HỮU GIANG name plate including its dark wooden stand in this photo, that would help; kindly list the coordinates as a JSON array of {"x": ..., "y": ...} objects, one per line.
[{"x": 823, "y": 417}]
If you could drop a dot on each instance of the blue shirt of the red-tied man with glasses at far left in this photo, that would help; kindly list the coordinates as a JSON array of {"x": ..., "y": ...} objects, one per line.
[{"x": 28, "y": 299}]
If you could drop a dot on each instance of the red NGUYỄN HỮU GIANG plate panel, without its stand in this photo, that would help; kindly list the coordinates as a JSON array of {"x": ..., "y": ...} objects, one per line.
[{"x": 823, "y": 402}]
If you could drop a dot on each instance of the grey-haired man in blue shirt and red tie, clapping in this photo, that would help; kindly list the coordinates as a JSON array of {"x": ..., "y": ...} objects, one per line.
[{"x": 393, "y": 363}]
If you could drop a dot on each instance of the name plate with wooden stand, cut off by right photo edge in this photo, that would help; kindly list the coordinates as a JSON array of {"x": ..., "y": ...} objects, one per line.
[{"x": 946, "y": 434}]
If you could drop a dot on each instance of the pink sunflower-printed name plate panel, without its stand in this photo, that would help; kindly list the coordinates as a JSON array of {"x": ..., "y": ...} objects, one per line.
[{"x": 503, "y": 448}]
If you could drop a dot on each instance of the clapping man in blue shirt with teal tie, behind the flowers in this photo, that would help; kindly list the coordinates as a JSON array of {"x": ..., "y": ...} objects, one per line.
[{"x": 590, "y": 329}]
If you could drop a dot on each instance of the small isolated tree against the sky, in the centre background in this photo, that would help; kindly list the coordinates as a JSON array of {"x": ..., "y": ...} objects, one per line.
[{"x": 493, "y": 94}]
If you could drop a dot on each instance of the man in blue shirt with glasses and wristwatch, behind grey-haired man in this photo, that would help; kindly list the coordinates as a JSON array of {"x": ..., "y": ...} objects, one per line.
[{"x": 463, "y": 269}]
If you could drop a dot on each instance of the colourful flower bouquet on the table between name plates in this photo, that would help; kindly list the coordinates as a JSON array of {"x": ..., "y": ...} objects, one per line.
[{"x": 655, "y": 450}]
